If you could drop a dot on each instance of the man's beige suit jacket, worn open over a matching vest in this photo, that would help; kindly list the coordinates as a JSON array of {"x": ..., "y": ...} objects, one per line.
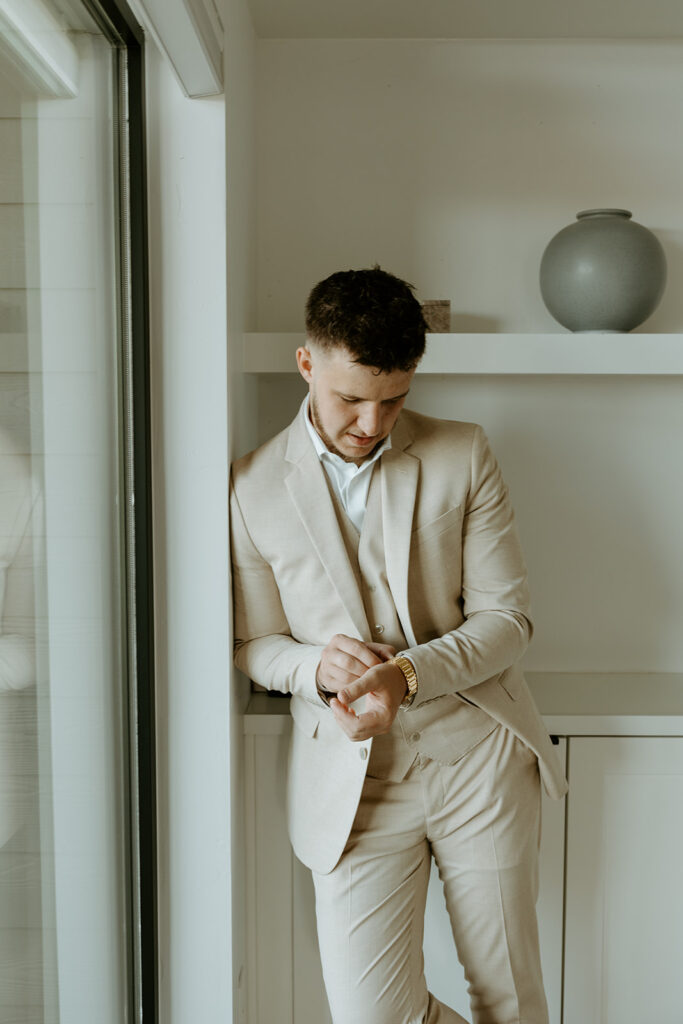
[{"x": 457, "y": 577}]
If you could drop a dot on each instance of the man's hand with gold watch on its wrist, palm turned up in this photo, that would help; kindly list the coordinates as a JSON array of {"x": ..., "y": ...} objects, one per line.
[{"x": 385, "y": 688}]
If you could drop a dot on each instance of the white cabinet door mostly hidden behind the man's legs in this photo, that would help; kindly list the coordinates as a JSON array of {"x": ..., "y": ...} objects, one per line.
[{"x": 445, "y": 974}]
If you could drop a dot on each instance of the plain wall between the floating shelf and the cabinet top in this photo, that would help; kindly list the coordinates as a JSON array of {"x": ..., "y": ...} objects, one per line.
[{"x": 593, "y": 470}]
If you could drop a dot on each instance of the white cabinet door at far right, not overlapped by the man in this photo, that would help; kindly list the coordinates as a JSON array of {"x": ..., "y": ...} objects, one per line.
[{"x": 625, "y": 884}]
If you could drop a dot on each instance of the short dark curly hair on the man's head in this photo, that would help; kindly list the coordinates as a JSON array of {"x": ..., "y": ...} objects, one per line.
[{"x": 372, "y": 314}]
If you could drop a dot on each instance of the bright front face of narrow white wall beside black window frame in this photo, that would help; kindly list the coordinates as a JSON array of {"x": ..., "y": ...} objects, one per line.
[{"x": 187, "y": 175}]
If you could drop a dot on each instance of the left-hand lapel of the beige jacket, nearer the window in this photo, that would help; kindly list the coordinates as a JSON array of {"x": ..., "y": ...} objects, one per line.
[{"x": 309, "y": 491}]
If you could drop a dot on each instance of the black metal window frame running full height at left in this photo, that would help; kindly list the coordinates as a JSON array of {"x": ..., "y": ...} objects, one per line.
[{"x": 120, "y": 27}]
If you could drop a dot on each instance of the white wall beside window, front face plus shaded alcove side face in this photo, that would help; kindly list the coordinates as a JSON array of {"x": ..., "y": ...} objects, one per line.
[{"x": 202, "y": 303}]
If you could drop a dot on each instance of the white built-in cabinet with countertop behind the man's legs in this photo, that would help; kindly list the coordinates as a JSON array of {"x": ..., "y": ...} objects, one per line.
[{"x": 611, "y": 906}]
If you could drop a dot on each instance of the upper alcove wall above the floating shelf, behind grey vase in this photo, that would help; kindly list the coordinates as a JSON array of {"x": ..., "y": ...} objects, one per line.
[{"x": 453, "y": 164}]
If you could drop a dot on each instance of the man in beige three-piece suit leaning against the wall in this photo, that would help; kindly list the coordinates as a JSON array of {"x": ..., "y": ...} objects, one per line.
[{"x": 378, "y": 579}]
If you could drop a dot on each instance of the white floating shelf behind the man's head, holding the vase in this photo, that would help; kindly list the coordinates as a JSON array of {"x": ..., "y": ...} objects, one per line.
[{"x": 614, "y": 355}]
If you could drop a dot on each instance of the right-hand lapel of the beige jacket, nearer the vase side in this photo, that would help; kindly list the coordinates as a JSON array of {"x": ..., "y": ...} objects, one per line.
[{"x": 401, "y": 475}]
